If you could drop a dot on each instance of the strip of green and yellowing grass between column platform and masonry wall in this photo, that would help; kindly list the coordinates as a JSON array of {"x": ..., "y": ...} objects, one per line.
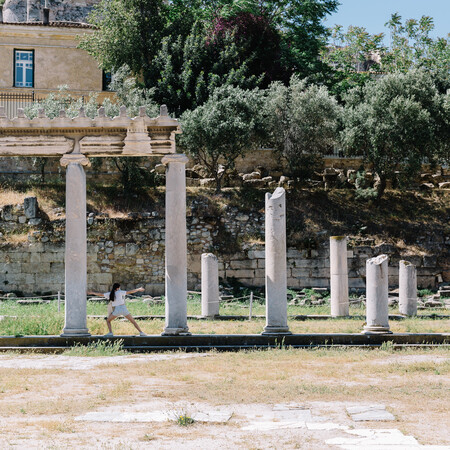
[{"x": 45, "y": 319}]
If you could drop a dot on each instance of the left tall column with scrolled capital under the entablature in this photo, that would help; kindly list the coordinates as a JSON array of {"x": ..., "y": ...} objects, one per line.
[{"x": 76, "y": 246}]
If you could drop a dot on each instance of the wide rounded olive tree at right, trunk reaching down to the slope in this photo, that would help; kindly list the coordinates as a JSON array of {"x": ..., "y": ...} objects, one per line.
[{"x": 395, "y": 123}]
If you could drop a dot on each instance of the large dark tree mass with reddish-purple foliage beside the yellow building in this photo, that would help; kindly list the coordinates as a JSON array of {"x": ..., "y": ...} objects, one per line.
[{"x": 184, "y": 49}]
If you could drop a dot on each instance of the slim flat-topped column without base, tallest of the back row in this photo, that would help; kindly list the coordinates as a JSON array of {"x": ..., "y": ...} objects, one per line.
[{"x": 339, "y": 276}]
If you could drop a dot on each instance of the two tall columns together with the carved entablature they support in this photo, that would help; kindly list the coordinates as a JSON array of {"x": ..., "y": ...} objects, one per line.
[{"x": 139, "y": 136}]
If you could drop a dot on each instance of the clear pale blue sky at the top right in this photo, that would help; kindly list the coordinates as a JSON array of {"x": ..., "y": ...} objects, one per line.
[{"x": 373, "y": 14}]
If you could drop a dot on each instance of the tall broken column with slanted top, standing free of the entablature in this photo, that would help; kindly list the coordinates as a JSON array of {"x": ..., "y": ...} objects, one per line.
[{"x": 276, "y": 275}]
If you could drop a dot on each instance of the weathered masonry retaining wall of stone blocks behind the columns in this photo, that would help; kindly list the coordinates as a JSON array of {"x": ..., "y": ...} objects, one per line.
[{"x": 131, "y": 251}]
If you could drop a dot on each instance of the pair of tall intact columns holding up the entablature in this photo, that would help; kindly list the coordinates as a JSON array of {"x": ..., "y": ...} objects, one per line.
[{"x": 76, "y": 245}]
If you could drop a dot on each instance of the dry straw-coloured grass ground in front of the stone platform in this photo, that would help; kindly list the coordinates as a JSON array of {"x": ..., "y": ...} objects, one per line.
[{"x": 413, "y": 385}]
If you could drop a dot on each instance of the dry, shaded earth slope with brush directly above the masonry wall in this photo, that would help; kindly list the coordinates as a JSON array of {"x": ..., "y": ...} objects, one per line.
[{"x": 402, "y": 218}]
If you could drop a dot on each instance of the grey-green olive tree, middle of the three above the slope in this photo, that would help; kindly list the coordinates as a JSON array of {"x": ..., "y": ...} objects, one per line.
[{"x": 304, "y": 124}]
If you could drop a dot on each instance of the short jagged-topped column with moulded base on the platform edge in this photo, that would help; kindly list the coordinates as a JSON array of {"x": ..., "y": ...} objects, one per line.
[{"x": 377, "y": 289}]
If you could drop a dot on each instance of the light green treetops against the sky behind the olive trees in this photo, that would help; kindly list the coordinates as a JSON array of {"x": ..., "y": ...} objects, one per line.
[{"x": 355, "y": 54}]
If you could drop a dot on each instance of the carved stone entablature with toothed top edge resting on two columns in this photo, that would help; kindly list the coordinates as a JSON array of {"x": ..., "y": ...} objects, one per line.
[{"x": 101, "y": 136}]
